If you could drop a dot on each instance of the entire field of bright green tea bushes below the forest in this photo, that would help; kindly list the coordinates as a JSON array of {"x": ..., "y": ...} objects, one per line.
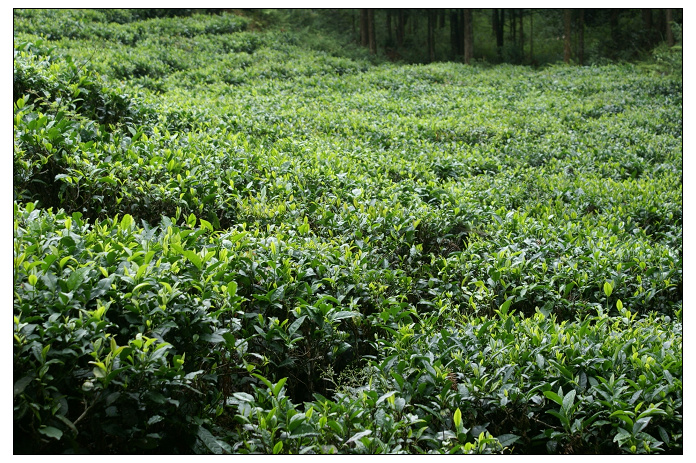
[{"x": 225, "y": 241}]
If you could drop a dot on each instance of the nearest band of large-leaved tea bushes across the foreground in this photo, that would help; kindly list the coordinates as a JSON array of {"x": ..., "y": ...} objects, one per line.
[{"x": 127, "y": 333}]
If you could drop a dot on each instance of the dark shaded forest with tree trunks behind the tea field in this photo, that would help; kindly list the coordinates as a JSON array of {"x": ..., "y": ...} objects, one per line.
[{"x": 528, "y": 36}]
